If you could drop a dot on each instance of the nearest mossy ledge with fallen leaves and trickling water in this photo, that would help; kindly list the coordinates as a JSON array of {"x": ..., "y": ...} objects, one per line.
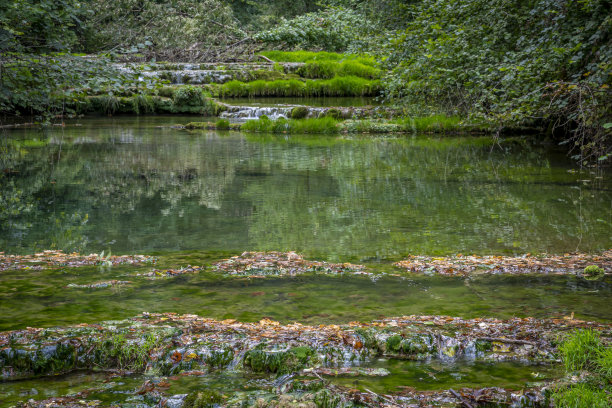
[{"x": 158, "y": 343}]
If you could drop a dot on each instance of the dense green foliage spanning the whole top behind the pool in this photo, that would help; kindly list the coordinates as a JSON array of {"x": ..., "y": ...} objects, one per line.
[{"x": 510, "y": 63}]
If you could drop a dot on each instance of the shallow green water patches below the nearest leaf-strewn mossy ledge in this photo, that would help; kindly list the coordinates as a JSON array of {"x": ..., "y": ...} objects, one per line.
[{"x": 405, "y": 374}]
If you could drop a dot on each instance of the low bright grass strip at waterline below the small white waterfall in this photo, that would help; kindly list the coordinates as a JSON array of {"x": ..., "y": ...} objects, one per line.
[{"x": 325, "y": 125}]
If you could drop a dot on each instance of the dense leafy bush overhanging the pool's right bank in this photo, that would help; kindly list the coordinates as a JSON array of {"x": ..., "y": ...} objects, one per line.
[{"x": 511, "y": 62}]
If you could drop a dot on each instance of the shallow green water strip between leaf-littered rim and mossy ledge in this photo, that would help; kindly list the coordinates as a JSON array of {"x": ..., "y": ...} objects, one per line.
[{"x": 41, "y": 299}]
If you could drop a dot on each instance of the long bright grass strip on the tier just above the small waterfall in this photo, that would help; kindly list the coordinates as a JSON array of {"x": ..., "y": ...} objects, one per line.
[{"x": 337, "y": 86}]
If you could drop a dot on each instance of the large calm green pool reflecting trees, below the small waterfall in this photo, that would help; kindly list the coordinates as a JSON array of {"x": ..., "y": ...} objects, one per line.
[{"x": 129, "y": 186}]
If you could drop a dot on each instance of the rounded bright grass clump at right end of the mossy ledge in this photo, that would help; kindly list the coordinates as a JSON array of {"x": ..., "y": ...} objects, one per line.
[{"x": 580, "y": 350}]
